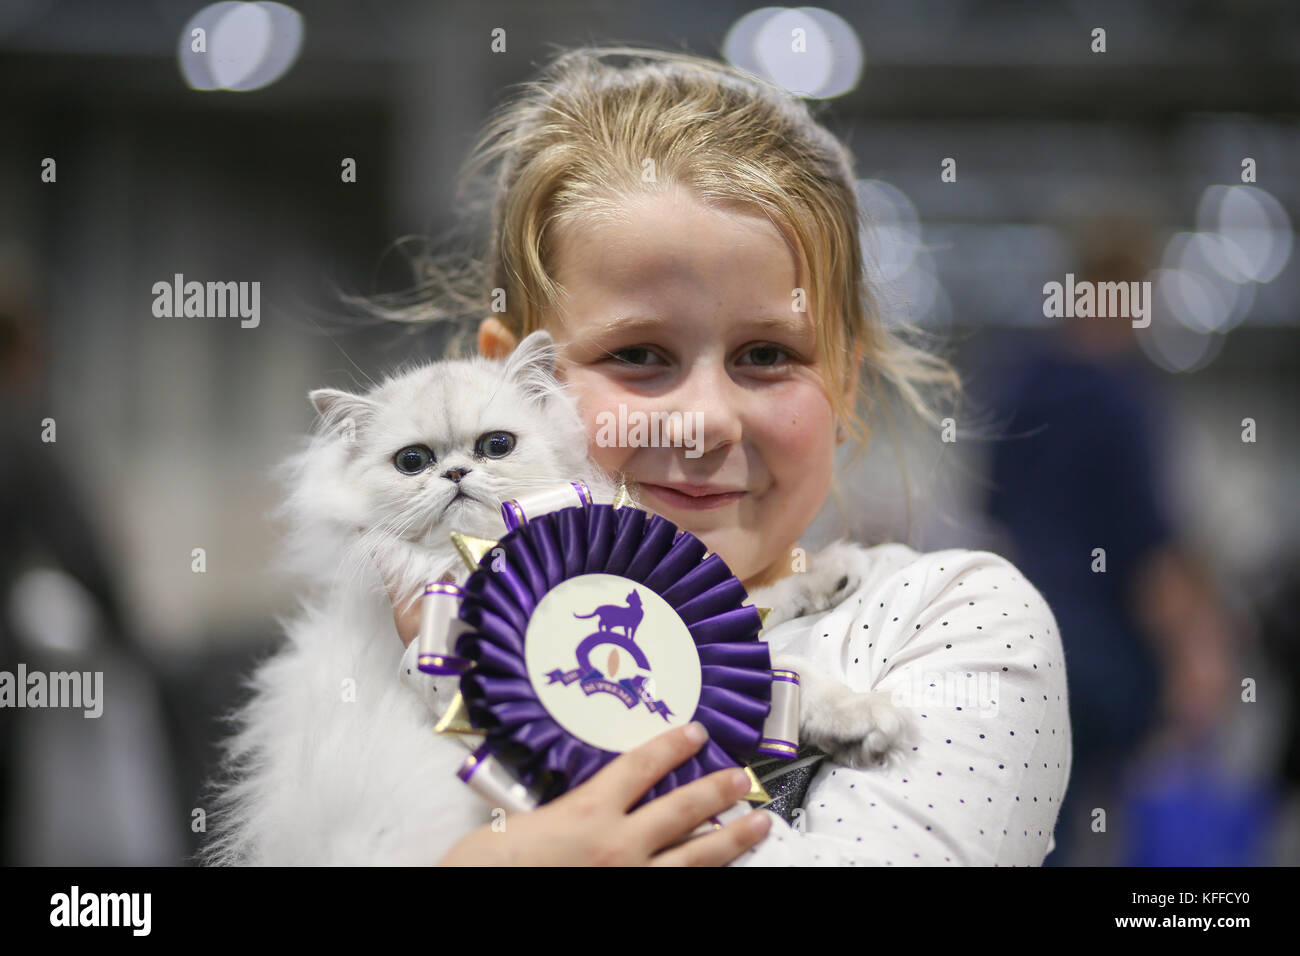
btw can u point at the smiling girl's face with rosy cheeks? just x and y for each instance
(687, 310)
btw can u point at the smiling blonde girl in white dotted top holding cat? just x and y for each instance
(690, 237)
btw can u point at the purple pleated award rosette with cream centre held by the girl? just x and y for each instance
(504, 690)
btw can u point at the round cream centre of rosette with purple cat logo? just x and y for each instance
(625, 647)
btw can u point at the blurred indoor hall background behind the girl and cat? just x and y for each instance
(135, 469)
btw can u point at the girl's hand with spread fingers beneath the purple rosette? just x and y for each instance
(591, 825)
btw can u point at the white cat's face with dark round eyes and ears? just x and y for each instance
(439, 448)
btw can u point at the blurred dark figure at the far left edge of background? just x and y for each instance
(62, 802)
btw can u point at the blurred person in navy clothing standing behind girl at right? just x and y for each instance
(1078, 468)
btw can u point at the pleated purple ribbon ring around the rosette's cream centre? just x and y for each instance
(502, 594)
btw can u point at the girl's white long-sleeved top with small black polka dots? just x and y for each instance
(969, 651)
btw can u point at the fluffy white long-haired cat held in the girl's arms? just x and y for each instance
(331, 759)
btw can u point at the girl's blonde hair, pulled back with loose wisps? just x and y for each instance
(574, 144)
